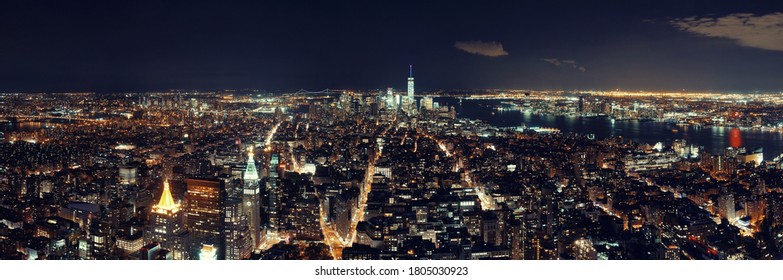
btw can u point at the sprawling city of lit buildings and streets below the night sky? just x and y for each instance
(382, 175)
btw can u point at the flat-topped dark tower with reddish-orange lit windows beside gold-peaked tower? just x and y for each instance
(205, 212)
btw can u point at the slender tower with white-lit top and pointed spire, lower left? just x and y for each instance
(250, 199)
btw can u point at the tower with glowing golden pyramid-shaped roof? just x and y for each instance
(167, 225)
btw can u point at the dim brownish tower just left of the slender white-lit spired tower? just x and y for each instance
(239, 244)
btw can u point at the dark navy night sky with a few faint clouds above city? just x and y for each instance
(121, 46)
